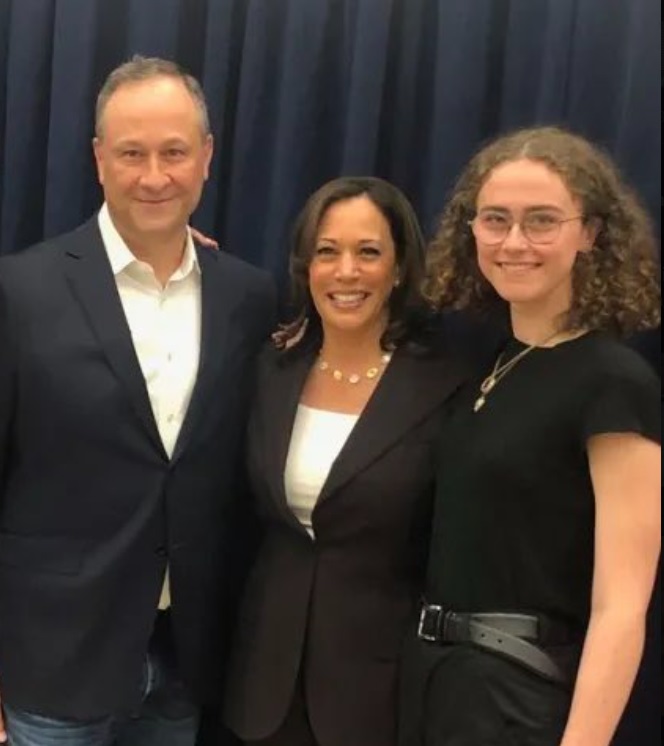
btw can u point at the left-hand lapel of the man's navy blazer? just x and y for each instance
(92, 282)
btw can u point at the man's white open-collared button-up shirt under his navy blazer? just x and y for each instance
(165, 326)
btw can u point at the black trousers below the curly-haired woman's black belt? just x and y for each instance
(460, 695)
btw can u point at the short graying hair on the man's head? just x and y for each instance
(138, 69)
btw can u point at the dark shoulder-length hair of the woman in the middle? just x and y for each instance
(406, 306)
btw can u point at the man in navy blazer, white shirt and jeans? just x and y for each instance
(125, 366)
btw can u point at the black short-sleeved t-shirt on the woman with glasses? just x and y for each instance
(514, 518)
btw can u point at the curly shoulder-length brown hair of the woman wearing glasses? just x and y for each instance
(615, 286)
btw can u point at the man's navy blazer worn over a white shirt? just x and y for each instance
(91, 507)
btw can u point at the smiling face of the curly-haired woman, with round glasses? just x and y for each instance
(528, 230)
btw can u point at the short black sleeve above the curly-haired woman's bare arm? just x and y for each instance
(629, 402)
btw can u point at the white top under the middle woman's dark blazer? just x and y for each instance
(316, 440)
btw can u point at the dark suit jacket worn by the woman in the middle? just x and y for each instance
(334, 611)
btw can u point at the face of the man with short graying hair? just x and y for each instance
(152, 159)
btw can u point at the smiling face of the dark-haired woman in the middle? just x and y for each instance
(353, 267)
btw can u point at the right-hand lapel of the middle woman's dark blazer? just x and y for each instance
(410, 389)
